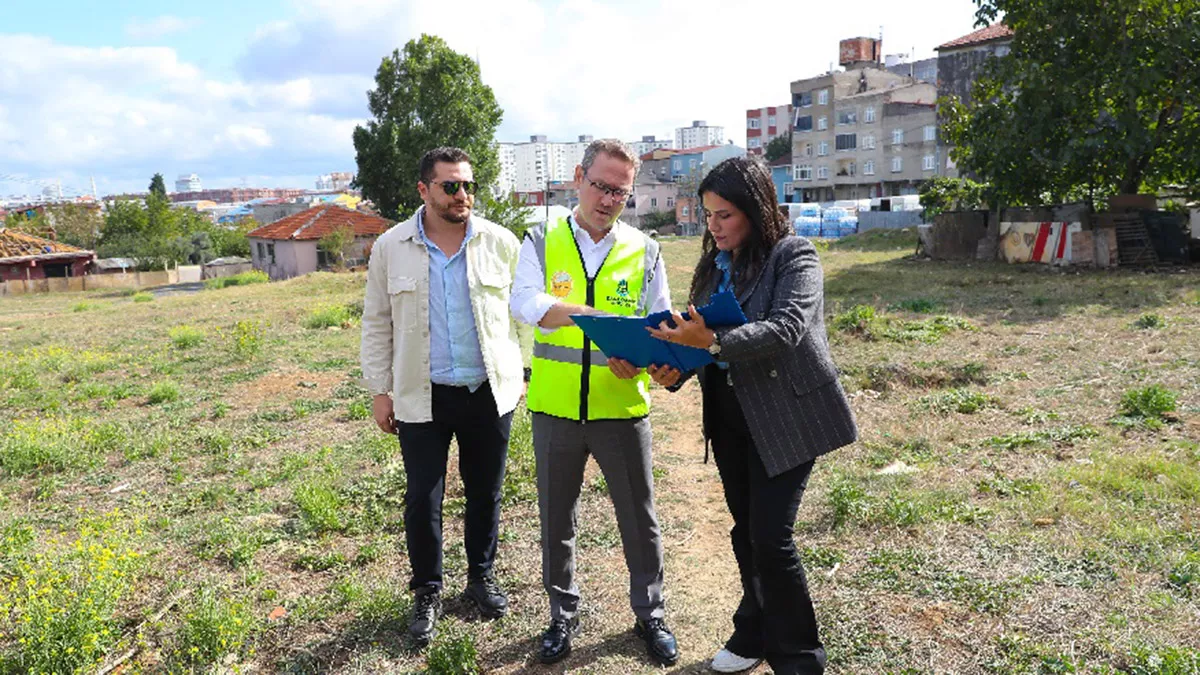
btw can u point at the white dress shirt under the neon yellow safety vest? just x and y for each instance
(530, 301)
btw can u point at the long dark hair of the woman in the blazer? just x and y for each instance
(747, 184)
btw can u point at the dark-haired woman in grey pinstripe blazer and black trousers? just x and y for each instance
(772, 407)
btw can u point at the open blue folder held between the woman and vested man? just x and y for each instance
(626, 338)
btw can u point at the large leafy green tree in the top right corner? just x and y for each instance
(1096, 98)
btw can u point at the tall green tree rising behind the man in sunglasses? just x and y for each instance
(425, 97)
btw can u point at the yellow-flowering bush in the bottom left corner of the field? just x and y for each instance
(61, 607)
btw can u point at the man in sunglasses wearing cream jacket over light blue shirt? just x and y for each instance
(441, 359)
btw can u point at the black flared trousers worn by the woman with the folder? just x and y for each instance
(776, 619)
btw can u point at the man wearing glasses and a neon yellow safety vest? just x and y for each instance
(584, 403)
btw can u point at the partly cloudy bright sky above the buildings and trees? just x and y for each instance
(267, 93)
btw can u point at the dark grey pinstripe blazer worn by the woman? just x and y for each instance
(781, 366)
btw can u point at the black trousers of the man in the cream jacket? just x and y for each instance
(483, 449)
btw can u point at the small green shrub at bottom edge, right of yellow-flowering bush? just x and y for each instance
(213, 629)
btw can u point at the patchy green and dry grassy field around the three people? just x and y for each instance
(195, 481)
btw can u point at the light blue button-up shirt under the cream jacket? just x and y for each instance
(455, 357)
